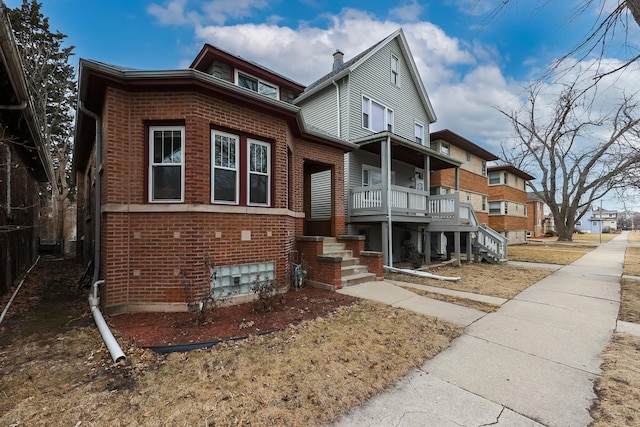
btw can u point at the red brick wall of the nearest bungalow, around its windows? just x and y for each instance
(143, 253)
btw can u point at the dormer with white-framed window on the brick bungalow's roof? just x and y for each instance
(245, 73)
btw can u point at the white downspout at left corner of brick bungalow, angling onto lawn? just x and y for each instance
(94, 300)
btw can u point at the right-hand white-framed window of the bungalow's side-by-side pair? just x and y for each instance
(259, 169)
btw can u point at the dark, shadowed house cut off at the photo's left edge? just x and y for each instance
(24, 164)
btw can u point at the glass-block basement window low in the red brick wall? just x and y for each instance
(239, 279)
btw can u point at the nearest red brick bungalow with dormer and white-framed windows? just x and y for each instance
(202, 177)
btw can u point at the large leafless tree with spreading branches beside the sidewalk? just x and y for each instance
(578, 155)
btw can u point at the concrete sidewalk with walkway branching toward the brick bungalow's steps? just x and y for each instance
(533, 362)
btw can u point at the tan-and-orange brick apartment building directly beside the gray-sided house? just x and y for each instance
(473, 184)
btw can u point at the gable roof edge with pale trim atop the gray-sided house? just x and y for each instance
(362, 58)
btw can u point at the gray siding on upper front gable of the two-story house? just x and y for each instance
(373, 79)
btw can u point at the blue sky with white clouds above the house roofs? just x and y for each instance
(469, 63)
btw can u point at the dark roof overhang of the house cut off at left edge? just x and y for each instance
(18, 109)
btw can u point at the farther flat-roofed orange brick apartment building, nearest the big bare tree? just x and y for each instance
(508, 202)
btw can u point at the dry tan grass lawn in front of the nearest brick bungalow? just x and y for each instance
(305, 375)
